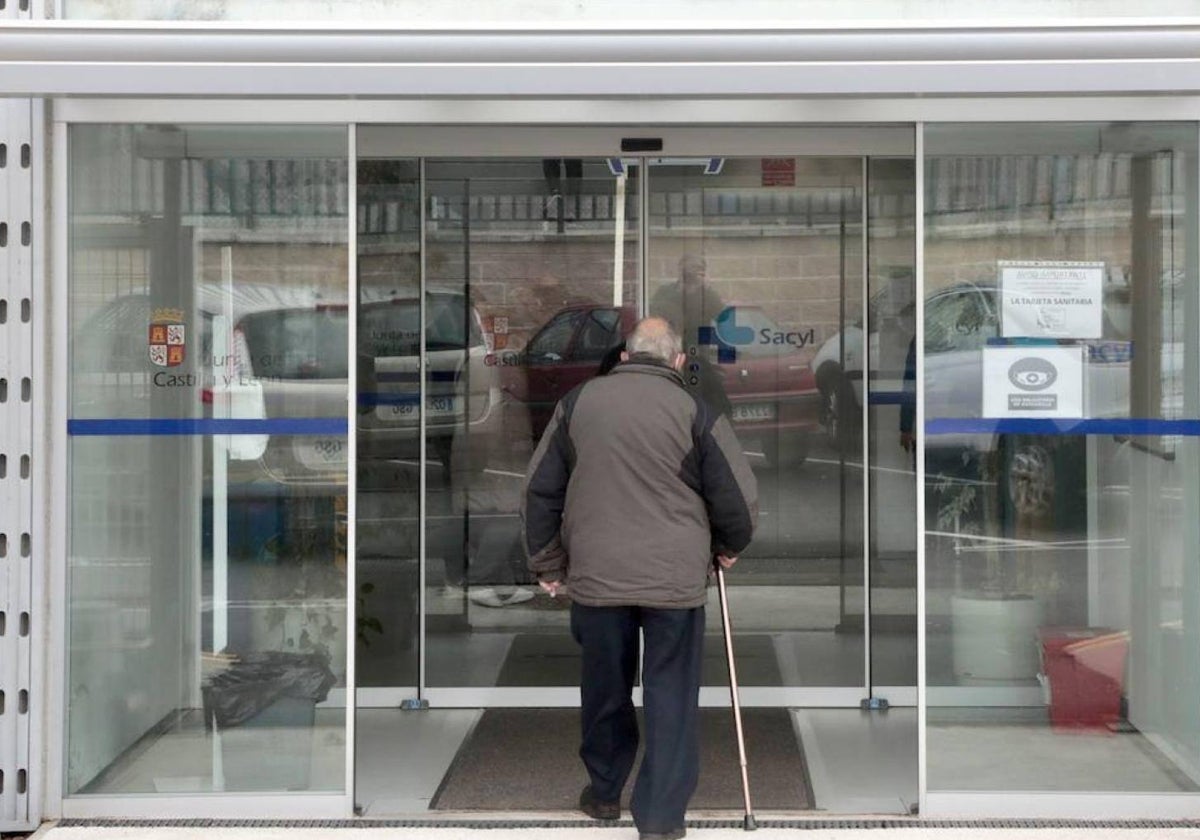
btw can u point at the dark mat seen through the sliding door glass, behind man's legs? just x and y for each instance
(554, 659)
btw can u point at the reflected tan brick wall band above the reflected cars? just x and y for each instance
(796, 279)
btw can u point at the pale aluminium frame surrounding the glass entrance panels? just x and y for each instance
(749, 112)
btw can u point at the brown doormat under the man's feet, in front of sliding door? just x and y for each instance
(527, 760)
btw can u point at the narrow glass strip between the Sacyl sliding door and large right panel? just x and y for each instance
(892, 406)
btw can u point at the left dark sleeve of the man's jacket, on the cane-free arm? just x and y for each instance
(545, 496)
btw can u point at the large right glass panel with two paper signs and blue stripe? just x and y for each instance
(1061, 458)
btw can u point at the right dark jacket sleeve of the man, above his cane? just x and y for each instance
(728, 485)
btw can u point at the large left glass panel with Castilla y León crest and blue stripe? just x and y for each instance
(207, 571)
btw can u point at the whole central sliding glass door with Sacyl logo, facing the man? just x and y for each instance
(533, 271)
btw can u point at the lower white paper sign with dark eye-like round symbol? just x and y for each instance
(1034, 382)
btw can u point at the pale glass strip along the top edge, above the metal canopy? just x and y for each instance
(596, 11)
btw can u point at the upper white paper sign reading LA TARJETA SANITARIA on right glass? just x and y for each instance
(1052, 301)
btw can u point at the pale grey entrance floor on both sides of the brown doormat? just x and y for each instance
(859, 763)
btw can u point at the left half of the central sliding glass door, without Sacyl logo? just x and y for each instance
(531, 269)
